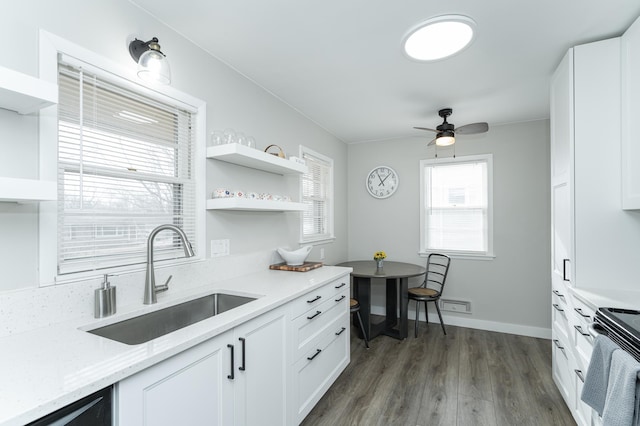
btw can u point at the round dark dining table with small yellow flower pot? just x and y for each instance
(396, 276)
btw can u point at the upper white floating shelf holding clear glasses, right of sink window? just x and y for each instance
(249, 157)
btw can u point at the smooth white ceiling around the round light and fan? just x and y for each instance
(340, 63)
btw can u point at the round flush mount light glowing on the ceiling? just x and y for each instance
(439, 37)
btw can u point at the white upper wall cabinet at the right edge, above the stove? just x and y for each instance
(630, 149)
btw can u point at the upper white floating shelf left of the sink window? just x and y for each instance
(25, 94)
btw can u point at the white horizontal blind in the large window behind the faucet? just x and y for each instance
(125, 166)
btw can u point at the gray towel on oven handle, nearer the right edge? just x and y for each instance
(621, 406)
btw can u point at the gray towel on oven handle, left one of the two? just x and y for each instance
(594, 392)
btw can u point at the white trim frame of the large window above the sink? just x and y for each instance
(51, 46)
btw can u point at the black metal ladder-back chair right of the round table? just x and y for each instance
(431, 288)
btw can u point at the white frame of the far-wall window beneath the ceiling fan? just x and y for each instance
(460, 254)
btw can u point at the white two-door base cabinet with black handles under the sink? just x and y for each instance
(207, 385)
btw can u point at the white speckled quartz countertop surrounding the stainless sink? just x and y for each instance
(44, 369)
